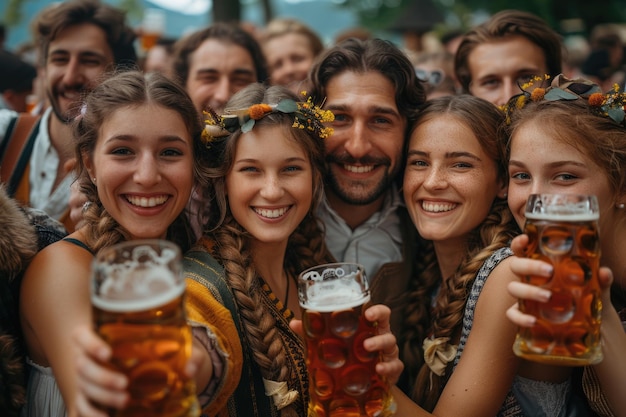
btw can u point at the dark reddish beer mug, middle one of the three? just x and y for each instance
(342, 377)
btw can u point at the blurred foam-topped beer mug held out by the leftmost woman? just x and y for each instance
(137, 297)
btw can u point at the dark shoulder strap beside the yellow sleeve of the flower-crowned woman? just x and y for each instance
(250, 391)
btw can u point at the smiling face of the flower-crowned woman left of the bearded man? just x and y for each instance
(270, 184)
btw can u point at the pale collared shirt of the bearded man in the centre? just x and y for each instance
(375, 242)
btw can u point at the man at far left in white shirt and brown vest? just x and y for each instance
(80, 41)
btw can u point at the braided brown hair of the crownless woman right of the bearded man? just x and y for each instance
(446, 317)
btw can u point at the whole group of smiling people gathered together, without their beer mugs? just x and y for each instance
(428, 195)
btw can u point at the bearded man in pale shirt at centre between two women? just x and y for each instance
(372, 90)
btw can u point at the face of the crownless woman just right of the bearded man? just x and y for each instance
(450, 182)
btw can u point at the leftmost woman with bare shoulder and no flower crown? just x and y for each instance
(136, 145)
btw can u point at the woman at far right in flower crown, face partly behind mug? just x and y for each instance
(571, 138)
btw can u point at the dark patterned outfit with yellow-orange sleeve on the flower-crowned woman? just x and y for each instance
(206, 280)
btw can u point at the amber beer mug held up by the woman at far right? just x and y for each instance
(562, 230)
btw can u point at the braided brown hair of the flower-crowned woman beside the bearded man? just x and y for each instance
(306, 246)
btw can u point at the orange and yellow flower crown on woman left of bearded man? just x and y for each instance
(306, 116)
